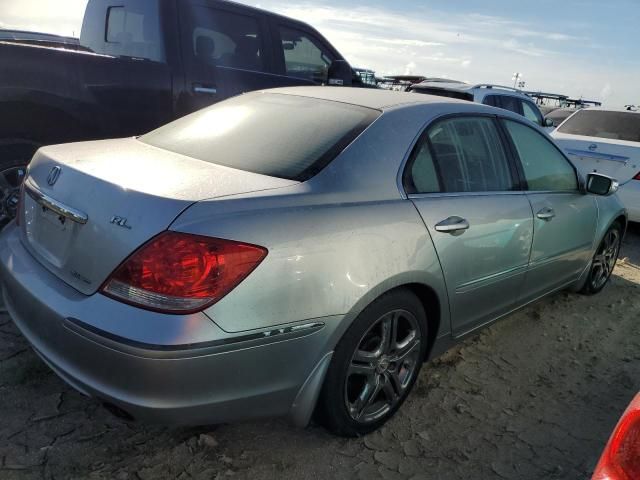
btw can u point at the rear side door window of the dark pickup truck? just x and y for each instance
(221, 38)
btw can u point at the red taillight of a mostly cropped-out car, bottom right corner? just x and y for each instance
(621, 457)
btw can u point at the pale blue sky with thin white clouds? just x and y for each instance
(582, 48)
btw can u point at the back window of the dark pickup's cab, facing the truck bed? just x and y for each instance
(133, 31)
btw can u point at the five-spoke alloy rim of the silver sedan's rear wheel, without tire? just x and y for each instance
(382, 366)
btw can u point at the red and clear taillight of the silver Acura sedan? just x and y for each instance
(182, 273)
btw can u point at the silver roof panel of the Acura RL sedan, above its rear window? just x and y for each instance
(378, 99)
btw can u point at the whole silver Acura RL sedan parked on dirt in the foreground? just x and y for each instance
(294, 251)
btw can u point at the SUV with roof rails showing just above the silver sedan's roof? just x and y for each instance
(494, 95)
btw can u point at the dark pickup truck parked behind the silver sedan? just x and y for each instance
(141, 63)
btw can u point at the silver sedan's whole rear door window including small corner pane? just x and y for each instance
(462, 154)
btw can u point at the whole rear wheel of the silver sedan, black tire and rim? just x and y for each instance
(371, 374)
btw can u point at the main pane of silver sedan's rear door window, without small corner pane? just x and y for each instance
(469, 155)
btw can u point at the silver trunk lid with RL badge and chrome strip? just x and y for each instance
(89, 205)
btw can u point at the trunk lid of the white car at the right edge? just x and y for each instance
(616, 158)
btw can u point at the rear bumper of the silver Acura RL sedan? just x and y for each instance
(160, 368)
